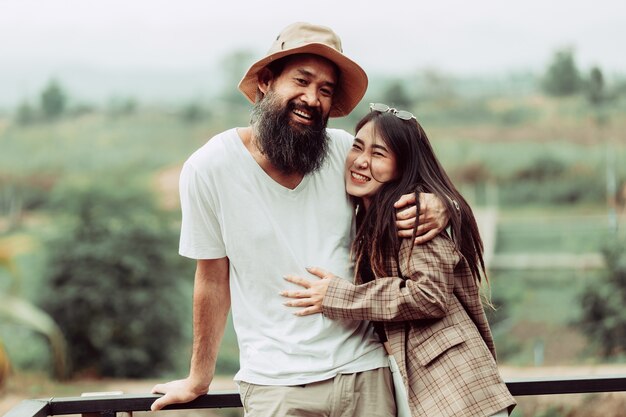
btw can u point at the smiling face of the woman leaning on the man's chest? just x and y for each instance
(369, 164)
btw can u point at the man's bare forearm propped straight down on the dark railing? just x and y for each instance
(211, 303)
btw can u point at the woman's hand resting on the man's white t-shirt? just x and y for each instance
(312, 296)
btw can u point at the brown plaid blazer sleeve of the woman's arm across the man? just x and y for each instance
(425, 294)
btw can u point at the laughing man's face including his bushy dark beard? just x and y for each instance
(290, 120)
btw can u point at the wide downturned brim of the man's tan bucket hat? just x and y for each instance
(352, 79)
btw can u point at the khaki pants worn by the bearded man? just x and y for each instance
(364, 394)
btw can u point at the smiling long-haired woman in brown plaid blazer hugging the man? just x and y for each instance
(424, 299)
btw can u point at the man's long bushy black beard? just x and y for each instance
(291, 149)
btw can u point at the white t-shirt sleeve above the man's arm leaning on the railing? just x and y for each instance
(200, 234)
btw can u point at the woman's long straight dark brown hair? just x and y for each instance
(419, 171)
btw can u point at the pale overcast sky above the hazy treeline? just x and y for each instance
(461, 37)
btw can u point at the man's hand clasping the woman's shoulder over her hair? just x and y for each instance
(433, 217)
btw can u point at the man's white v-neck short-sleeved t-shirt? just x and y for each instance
(232, 208)
